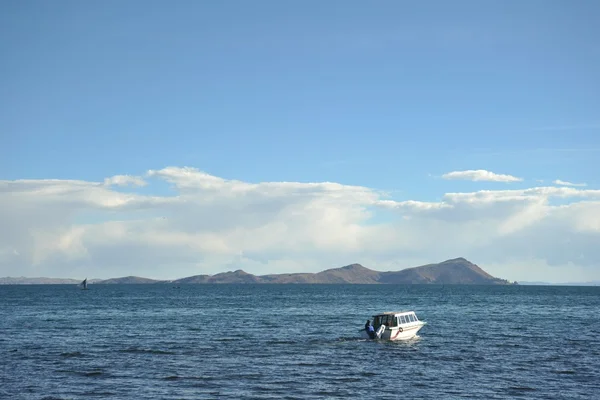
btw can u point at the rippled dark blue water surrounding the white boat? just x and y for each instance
(297, 342)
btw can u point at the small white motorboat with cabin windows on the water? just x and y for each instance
(395, 325)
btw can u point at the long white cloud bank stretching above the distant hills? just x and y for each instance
(209, 224)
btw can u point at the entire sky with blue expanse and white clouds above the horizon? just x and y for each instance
(166, 140)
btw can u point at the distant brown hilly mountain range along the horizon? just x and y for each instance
(455, 271)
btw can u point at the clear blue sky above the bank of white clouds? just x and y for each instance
(388, 95)
